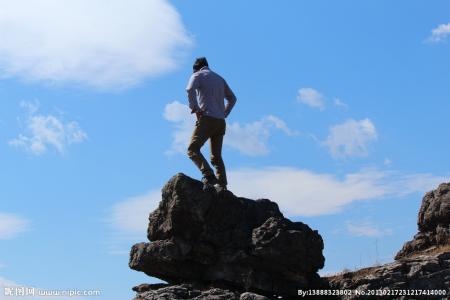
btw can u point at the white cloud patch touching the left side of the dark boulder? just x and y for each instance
(130, 217)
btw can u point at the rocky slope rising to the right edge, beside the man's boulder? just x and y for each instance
(422, 264)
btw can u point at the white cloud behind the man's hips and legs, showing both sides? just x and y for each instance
(249, 139)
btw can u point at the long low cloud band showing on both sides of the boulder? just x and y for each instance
(298, 192)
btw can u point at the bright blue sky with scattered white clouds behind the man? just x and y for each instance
(342, 119)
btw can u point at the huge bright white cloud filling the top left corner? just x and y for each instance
(99, 43)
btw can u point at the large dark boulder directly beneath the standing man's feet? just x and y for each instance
(232, 242)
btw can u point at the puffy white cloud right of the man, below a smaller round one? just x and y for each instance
(351, 138)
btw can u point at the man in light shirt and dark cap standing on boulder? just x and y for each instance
(210, 89)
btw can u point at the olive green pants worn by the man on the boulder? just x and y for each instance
(213, 129)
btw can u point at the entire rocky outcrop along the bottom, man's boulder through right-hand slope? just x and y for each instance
(210, 245)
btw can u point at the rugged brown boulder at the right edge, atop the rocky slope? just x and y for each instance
(433, 222)
